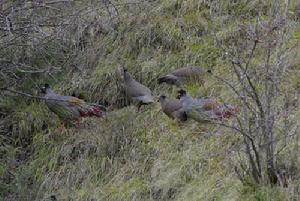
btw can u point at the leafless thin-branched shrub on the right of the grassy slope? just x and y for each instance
(258, 54)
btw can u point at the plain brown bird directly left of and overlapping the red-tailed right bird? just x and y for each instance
(172, 108)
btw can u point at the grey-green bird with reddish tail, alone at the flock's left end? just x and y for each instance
(69, 108)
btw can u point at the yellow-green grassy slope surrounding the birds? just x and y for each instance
(142, 156)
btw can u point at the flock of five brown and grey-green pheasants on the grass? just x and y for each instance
(184, 107)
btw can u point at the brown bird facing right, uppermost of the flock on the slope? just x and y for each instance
(182, 74)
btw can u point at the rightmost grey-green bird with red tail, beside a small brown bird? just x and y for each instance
(205, 109)
